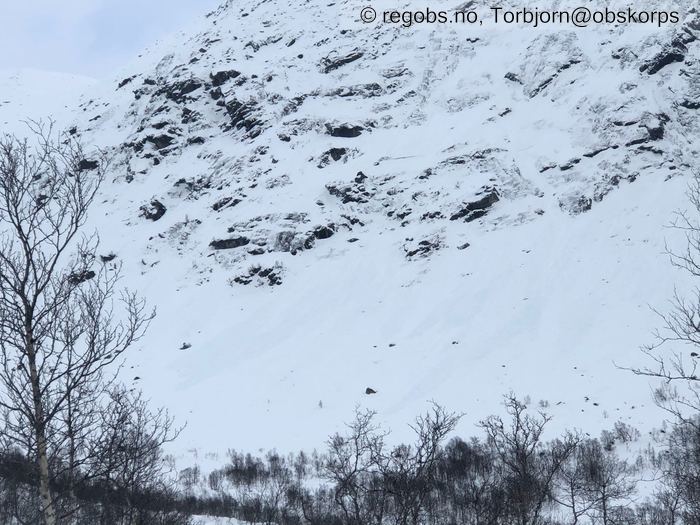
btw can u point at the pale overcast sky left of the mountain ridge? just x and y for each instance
(88, 37)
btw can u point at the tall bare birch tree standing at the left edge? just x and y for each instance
(62, 322)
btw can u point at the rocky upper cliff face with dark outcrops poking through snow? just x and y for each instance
(289, 127)
